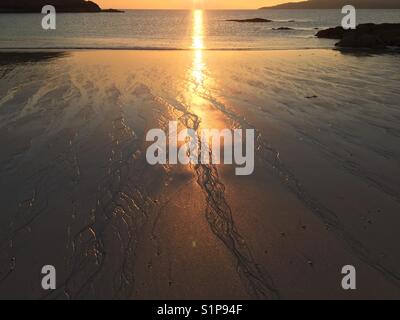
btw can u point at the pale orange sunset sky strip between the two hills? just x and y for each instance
(188, 4)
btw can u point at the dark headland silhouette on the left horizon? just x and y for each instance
(26, 6)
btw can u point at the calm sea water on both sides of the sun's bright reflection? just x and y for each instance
(173, 29)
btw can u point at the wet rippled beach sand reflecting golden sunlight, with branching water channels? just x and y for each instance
(77, 191)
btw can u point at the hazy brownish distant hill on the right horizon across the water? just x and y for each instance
(336, 4)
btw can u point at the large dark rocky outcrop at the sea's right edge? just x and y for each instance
(372, 36)
